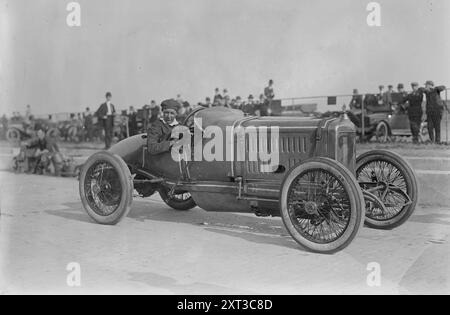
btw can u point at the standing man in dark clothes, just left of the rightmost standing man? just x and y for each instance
(413, 102)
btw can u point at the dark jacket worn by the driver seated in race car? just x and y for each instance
(159, 135)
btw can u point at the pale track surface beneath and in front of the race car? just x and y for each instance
(43, 228)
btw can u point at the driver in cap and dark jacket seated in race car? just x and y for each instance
(160, 132)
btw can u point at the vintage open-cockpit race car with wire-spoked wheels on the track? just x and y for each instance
(322, 192)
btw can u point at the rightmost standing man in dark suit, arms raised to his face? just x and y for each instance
(435, 107)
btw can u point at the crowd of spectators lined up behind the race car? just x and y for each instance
(106, 123)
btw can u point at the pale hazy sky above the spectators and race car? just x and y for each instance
(150, 49)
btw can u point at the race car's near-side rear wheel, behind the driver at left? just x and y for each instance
(107, 187)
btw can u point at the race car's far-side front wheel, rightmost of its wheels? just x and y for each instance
(406, 183)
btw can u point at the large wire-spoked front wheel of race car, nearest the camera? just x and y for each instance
(312, 208)
